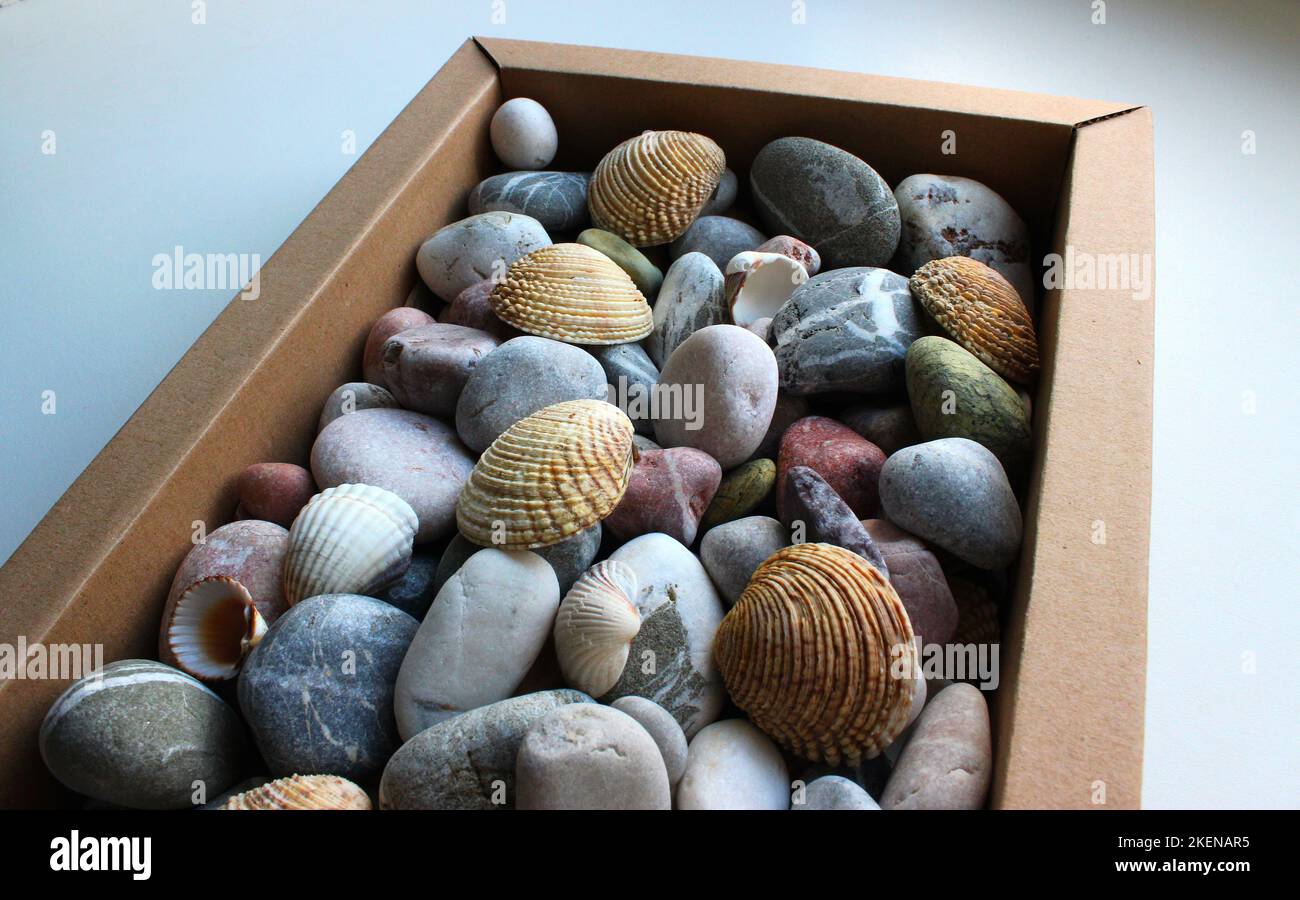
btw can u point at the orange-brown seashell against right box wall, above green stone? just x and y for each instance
(981, 310)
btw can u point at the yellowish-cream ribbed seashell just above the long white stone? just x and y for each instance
(548, 477)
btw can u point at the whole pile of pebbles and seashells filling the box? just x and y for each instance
(502, 586)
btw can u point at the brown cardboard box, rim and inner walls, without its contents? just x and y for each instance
(1069, 716)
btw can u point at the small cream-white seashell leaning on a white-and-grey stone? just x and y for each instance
(595, 628)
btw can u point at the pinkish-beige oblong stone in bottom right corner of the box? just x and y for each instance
(950, 759)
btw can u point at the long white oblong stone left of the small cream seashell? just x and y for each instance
(483, 634)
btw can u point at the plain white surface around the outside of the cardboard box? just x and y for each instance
(222, 137)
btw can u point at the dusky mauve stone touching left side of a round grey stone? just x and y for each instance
(427, 367)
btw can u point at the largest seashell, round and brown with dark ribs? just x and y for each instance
(809, 652)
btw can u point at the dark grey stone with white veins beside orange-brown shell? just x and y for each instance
(847, 330)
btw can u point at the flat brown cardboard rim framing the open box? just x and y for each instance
(1077, 651)
